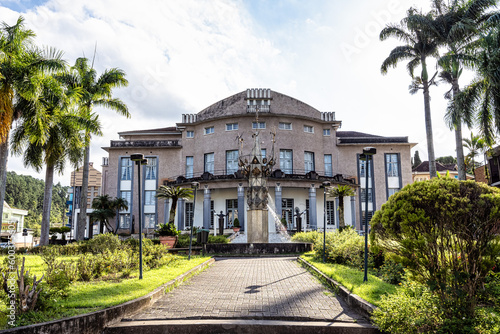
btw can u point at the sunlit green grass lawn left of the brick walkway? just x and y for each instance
(85, 297)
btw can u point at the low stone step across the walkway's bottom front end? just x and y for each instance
(212, 326)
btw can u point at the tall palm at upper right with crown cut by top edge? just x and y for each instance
(456, 25)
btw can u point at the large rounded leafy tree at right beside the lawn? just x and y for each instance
(445, 232)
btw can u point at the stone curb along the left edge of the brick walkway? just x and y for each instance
(96, 322)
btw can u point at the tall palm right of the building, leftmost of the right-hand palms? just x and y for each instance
(418, 45)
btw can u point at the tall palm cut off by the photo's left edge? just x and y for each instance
(19, 60)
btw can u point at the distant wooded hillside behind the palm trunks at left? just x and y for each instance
(25, 192)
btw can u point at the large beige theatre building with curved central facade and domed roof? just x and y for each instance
(205, 147)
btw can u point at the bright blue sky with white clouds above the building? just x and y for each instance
(181, 56)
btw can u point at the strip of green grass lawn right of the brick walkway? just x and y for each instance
(352, 279)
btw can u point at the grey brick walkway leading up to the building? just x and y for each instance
(255, 288)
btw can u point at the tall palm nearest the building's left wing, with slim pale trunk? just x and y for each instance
(95, 92)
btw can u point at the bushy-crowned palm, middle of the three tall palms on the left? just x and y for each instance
(49, 134)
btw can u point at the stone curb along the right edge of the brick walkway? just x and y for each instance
(358, 304)
